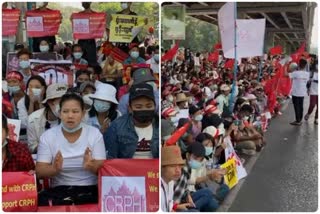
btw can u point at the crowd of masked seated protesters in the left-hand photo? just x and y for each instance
(71, 130)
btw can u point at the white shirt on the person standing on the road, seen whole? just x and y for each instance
(299, 83)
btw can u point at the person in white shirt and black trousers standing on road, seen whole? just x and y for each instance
(299, 90)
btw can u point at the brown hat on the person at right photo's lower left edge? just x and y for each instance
(171, 155)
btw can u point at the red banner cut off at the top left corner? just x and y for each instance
(10, 21)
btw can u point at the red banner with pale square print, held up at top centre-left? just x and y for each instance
(88, 25)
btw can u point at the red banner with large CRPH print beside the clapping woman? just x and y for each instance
(129, 185)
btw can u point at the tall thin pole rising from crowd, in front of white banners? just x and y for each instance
(231, 100)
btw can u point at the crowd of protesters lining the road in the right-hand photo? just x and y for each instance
(203, 92)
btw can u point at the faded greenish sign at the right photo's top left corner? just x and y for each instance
(173, 22)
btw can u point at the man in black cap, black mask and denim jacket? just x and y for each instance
(135, 135)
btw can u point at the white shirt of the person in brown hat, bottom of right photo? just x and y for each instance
(167, 191)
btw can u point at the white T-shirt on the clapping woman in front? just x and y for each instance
(72, 172)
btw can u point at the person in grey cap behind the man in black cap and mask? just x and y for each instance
(142, 75)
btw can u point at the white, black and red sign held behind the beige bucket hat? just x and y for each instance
(53, 71)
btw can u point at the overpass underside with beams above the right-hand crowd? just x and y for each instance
(287, 23)
